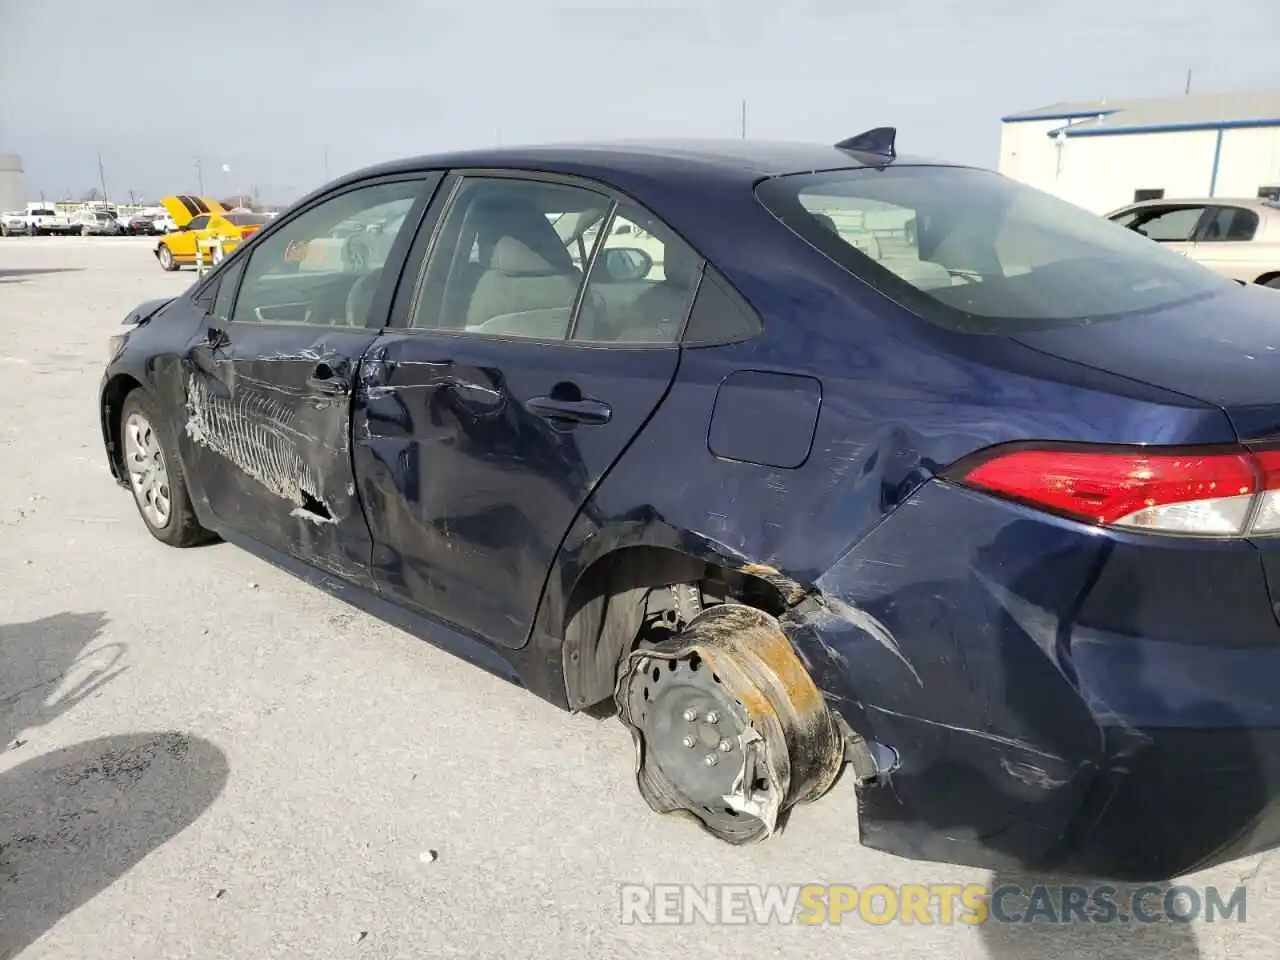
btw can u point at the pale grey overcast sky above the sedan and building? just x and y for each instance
(267, 88)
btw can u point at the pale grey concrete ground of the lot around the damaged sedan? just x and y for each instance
(202, 757)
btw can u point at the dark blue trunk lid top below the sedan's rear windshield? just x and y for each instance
(1222, 350)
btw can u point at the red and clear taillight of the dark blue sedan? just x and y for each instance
(1205, 492)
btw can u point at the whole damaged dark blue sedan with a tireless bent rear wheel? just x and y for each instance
(797, 459)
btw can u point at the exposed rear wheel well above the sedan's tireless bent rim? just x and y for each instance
(607, 610)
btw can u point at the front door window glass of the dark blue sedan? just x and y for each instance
(314, 271)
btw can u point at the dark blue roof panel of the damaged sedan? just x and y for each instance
(729, 159)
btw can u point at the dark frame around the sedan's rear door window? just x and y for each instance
(404, 309)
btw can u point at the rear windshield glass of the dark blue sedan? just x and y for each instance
(976, 252)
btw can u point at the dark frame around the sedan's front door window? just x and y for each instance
(396, 257)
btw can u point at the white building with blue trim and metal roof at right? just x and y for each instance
(1104, 154)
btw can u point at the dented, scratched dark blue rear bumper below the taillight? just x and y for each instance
(1058, 698)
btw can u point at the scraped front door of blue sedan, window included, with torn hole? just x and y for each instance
(271, 377)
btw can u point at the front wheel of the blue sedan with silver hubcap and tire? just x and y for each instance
(156, 476)
